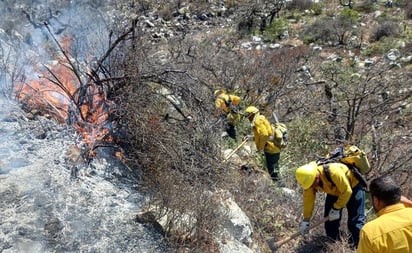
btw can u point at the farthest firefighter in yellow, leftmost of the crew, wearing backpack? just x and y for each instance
(227, 107)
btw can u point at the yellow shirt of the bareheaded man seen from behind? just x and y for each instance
(391, 232)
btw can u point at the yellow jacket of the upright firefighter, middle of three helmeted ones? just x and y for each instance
(262, 131)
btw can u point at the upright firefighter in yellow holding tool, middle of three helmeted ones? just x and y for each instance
(263, 137)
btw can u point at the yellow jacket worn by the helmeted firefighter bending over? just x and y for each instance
(344, 181)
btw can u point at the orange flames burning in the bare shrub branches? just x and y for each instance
(56, 92)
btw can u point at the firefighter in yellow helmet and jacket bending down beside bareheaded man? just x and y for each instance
(342, 189)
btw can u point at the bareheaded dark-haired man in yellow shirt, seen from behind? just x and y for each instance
(391, 231)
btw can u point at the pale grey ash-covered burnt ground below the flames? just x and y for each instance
(43, 209)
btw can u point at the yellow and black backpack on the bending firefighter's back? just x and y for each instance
(351, 156)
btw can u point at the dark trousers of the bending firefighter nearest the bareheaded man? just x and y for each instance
(356, 215)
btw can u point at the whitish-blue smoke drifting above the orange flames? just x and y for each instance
(27, 44)
